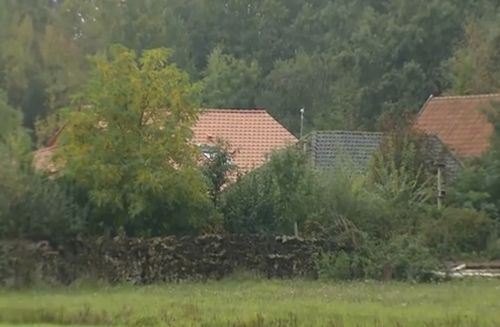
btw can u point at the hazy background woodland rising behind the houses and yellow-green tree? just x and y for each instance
(347, 62)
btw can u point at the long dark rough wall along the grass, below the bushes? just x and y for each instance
(144, 261)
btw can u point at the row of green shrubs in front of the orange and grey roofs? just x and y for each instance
(343, 202)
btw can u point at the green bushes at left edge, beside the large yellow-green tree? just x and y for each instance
(31, 206)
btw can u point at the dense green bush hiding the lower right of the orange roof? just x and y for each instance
(272, 198)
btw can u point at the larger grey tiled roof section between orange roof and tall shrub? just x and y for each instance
(329, 148)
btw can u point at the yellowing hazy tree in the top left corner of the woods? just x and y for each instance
(41, 63)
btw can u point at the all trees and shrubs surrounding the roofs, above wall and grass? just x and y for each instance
(125, 164)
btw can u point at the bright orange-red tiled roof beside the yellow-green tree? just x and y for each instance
(252, 134)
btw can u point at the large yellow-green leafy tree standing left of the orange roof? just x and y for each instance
(127, 144)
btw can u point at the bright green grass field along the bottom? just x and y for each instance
(258, 303)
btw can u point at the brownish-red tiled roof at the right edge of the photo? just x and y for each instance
(460, 122)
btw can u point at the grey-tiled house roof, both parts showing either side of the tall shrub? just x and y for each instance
(328, 149)
